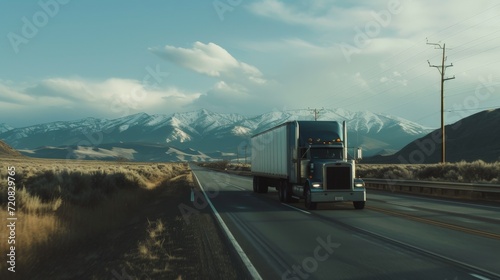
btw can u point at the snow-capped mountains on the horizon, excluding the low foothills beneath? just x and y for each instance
(207, 131)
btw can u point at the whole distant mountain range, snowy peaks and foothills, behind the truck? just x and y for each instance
(199, 135)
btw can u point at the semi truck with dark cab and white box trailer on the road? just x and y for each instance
(306, 160)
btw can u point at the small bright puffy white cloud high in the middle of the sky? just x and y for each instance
(212, 60)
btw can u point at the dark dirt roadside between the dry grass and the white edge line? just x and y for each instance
(156, 243)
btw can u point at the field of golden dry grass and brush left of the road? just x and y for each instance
(60, 202)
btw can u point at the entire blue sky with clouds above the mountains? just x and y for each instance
(71, 59)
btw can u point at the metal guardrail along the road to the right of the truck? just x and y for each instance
(446, 189)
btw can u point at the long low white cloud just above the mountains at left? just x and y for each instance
(56, 98)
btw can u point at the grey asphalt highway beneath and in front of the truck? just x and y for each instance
(395, 237)
